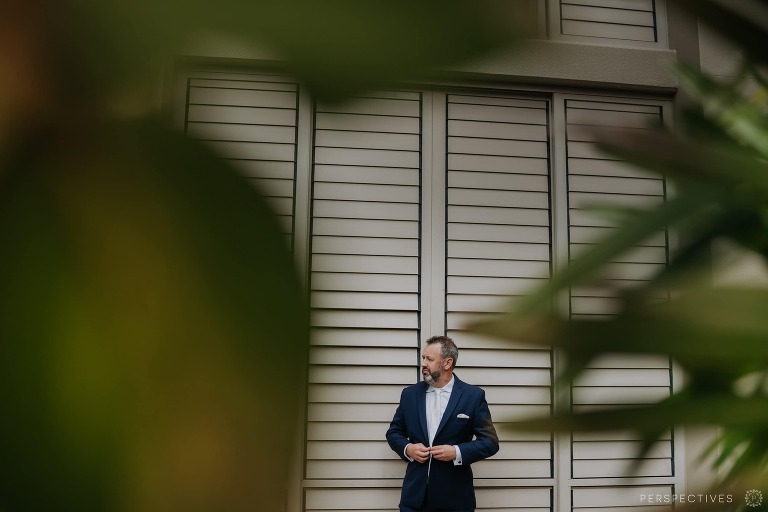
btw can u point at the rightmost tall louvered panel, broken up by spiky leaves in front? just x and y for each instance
(596, 178)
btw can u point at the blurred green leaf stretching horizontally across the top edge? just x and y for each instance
(334, 46)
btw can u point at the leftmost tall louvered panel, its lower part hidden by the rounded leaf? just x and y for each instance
(250, 120)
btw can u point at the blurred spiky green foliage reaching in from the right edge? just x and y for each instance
(717, 158)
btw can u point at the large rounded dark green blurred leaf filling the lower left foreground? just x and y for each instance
(154, 336)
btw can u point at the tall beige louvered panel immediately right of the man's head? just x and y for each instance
(498, 243)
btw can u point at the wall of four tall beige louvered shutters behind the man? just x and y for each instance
(366, 245)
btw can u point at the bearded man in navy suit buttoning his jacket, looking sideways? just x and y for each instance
(433, 430)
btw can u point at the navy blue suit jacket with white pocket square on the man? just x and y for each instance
(450, 486)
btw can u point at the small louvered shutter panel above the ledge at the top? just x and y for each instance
(631, 20)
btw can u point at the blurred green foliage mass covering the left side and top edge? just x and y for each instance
(153, 330)
